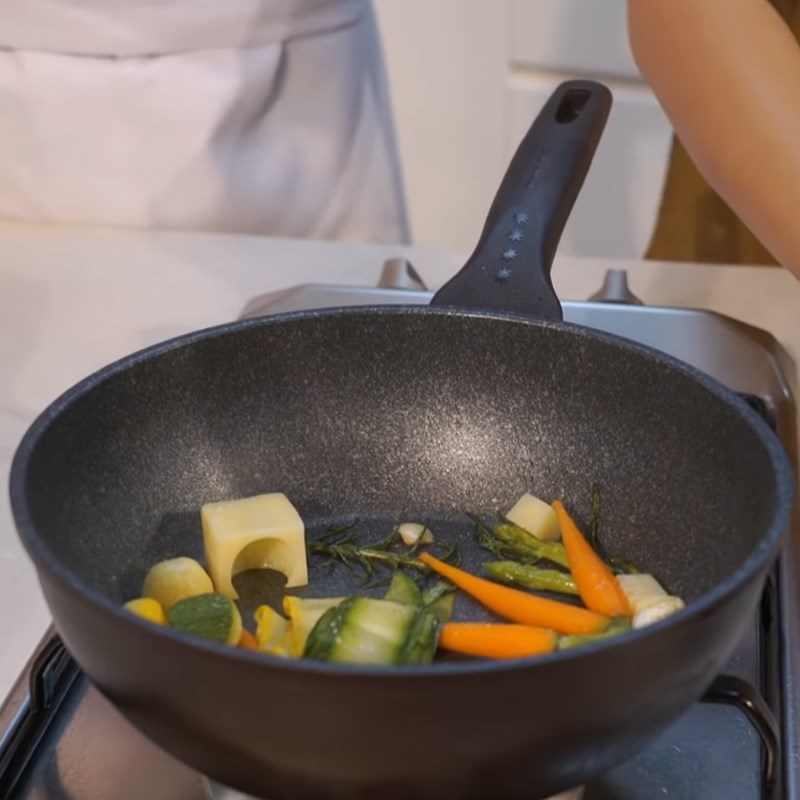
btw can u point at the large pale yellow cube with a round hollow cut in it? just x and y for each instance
(261, 532)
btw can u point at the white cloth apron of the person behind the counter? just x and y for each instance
(254, 116)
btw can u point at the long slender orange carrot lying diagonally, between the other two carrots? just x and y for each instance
(527, 609)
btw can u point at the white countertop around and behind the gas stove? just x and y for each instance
(73, 299)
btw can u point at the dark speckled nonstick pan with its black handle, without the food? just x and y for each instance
(430, 413)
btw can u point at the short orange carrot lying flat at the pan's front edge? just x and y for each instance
(497, 640)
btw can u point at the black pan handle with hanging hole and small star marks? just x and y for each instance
(510, 268)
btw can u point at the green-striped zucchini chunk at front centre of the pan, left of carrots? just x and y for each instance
(365, 631)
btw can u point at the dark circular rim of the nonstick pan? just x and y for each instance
(43, 559)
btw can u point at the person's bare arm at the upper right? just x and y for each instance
(727, 73)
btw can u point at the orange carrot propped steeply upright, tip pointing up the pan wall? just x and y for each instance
(597, 584)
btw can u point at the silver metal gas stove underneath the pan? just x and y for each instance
(61, 740)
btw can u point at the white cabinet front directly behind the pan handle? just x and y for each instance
(468, 77)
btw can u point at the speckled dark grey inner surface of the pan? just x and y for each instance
(384, 416)
